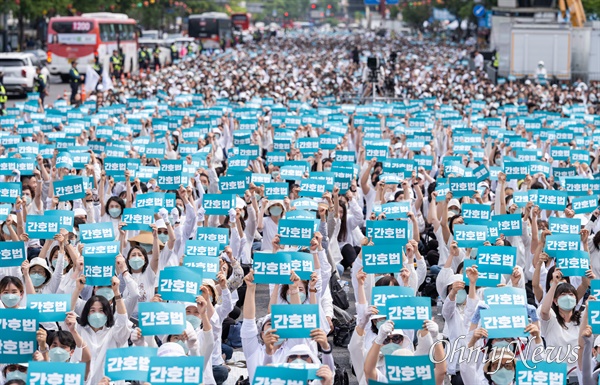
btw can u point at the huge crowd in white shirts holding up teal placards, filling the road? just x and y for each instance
(453, 143)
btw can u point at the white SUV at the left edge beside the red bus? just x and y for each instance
(19, 71)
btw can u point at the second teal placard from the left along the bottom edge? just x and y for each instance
(131, 363)
